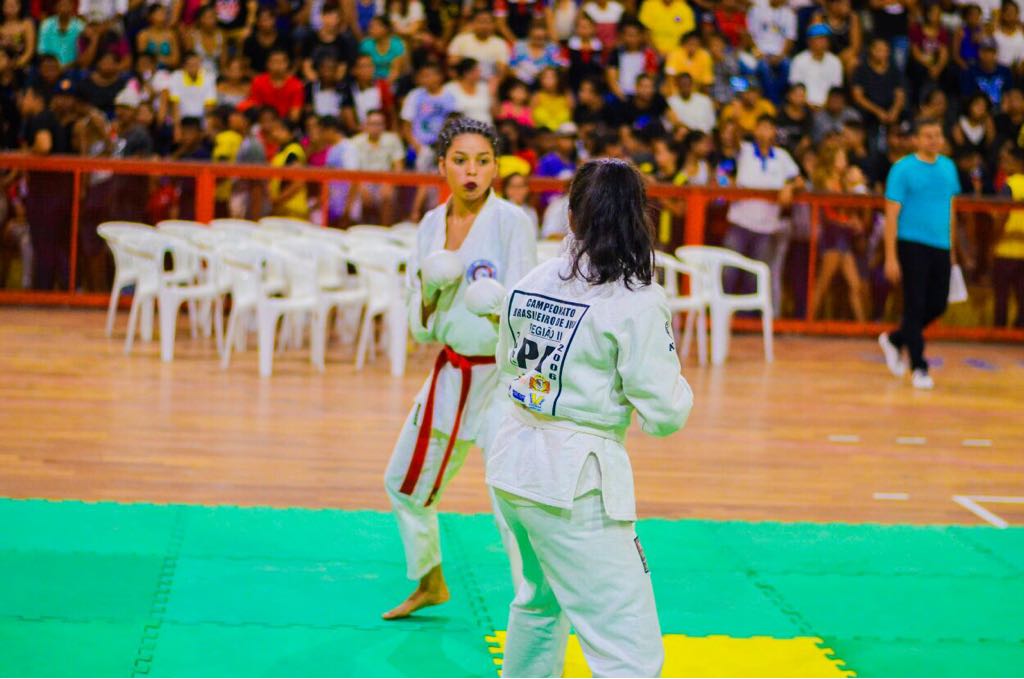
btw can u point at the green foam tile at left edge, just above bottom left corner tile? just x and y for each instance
(78, 587)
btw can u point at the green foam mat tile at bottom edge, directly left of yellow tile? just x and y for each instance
(407, 650)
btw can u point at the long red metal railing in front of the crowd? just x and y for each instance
(698, 200)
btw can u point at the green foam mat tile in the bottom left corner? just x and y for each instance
(57, 649)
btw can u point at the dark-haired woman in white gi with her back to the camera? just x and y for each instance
(585, 341)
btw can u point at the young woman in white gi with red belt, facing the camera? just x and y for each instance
(486, 237)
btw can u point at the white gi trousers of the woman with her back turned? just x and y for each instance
(583, 569)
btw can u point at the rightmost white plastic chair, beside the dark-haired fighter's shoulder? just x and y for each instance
(713, 261)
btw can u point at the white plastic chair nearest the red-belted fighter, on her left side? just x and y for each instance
(382, 267)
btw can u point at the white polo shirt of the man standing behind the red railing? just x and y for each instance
(755, 172)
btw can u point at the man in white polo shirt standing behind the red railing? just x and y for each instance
(756, 228)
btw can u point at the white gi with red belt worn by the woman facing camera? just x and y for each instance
(502, 245)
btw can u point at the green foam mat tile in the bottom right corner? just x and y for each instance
(915, 658)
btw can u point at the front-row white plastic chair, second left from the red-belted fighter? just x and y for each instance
(248, 264)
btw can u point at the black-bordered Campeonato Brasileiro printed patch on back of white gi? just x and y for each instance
(542, 329)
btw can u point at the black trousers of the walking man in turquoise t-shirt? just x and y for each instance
(925, 272)
